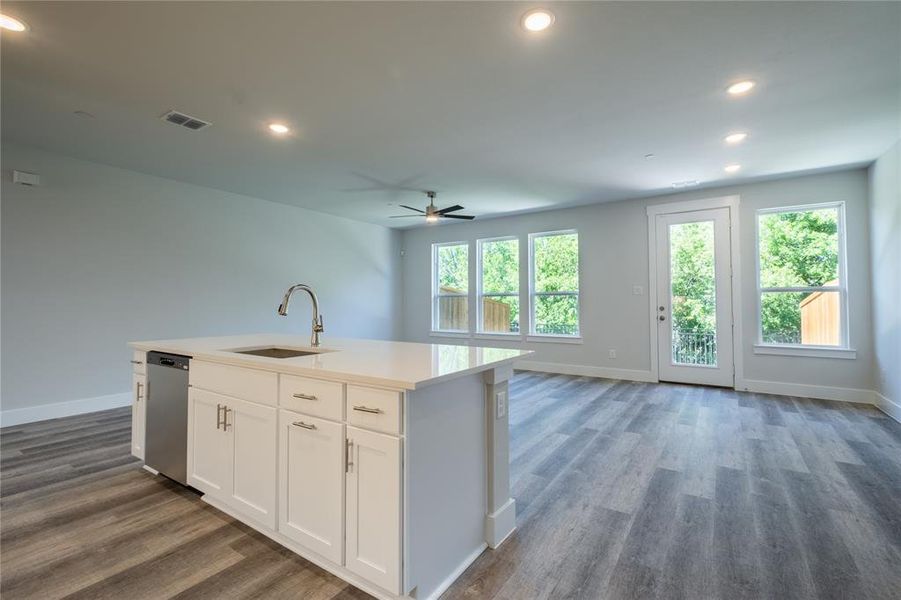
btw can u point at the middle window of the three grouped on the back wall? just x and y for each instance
(498, 285)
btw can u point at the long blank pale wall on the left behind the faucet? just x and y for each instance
(97, 256)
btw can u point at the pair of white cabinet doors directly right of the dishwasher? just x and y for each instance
(232, 453)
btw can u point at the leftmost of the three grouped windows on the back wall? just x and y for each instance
(450, 287)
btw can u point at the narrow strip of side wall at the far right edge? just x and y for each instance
(885, 255)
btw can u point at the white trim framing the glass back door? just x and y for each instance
(732, 203)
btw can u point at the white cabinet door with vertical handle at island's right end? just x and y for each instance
(373, 508)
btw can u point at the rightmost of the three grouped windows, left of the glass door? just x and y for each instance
(554, 283)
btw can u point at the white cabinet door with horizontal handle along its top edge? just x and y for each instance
(311, 507)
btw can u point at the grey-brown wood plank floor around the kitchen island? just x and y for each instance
(623, 490)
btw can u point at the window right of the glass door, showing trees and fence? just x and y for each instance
(802, 286)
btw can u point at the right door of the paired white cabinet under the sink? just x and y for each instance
(253, 429)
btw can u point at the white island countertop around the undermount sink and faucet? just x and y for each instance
(400, 365)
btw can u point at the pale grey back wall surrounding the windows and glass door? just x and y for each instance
(614, 259)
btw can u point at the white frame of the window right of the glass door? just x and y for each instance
(843, 350)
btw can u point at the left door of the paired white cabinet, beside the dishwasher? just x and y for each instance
(209, 445)
